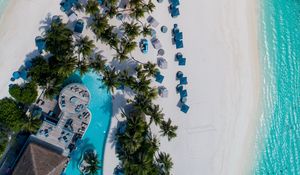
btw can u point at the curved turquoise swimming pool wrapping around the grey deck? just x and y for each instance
(96, 134)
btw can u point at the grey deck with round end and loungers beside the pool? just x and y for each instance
(73, 118)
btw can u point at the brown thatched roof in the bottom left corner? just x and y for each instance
(38, 160)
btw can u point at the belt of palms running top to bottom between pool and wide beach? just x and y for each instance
(137, 146)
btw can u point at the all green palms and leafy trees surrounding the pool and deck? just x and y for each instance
(138, 147)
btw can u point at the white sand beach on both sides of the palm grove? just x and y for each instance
(216, 137)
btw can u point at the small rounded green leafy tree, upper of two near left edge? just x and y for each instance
(27, 93)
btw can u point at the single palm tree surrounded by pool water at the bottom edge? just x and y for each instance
(91, 159)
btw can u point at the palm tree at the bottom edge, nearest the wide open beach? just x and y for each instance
(164, 162)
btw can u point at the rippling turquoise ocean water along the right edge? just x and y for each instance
(278, 136)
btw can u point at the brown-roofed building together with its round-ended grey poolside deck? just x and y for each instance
(65, 120)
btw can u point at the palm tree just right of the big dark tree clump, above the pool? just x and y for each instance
(84, 46)
